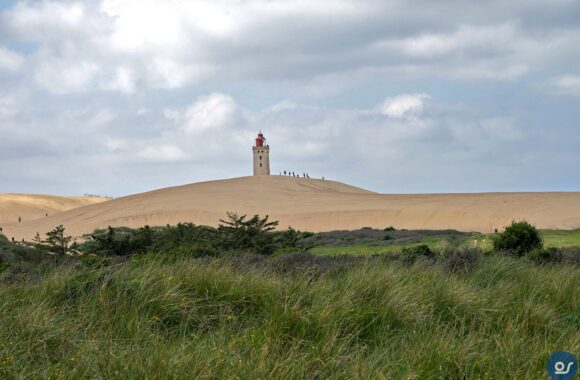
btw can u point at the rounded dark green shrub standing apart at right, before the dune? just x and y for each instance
(519, 238)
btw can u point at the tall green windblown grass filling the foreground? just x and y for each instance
(207, 319)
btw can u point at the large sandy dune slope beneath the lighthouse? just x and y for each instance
(314, 205)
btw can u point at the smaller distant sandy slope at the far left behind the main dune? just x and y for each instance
(32, 206)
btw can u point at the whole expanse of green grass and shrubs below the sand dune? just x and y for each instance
(246, 301)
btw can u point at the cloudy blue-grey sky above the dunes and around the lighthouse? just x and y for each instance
(114, 97)
